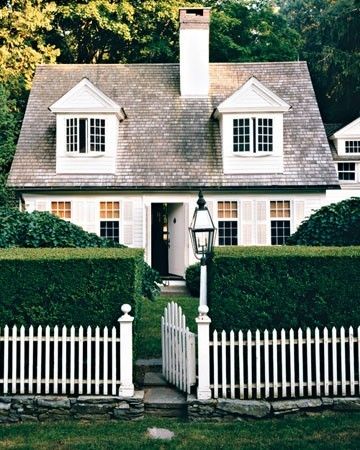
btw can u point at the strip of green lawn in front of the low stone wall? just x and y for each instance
(340, 431)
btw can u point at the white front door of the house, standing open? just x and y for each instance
(176, 227)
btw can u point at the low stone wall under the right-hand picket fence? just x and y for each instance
(226, 409)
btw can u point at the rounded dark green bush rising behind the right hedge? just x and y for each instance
(336, 224)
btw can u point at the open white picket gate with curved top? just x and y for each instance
(178, 349)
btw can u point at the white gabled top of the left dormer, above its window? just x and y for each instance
(85, 97)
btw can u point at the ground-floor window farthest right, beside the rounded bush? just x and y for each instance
(280, 228)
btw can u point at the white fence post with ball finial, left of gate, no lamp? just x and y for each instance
(126, 353)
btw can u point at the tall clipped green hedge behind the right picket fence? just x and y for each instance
(275, 287)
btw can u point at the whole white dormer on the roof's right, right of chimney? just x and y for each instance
(251, 122)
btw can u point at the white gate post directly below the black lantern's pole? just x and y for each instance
(203, 322)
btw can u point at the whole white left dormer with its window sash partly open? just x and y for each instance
(87, 123)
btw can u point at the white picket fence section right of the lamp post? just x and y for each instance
(285, 364)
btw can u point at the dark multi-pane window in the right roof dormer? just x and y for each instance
(253, 135)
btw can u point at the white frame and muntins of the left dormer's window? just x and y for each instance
(88, 152)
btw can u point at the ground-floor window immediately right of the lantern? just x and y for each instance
(228, 228)
